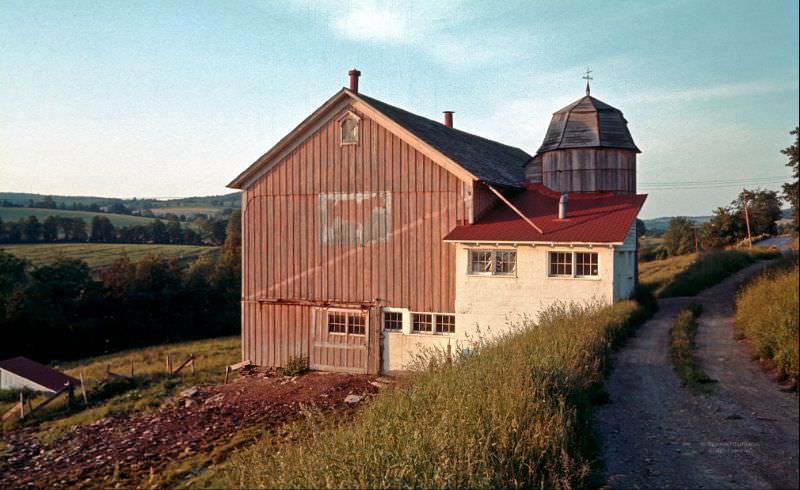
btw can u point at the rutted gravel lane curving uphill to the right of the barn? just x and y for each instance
(655, 434)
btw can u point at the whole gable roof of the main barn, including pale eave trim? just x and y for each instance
(483, 159)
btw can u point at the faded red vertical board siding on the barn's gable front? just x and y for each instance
(354, 224)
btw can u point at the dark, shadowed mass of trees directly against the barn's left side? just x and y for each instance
(65, 311)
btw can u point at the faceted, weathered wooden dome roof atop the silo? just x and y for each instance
(588, 123)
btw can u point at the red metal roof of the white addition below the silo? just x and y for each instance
(591, 218)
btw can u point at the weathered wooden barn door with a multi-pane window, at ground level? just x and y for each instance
(340, 340)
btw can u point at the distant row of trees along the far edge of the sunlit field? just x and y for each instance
(61, 229)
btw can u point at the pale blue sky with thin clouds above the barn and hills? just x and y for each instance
(173, 99)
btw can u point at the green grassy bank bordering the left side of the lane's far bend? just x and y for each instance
(709, 269)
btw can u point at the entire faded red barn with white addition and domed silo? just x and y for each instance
(370, 232)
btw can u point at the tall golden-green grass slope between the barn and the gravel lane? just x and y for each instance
(514, 413)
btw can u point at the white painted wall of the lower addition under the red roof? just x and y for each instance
(487, 305)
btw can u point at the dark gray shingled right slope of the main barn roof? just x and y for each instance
(490, 161)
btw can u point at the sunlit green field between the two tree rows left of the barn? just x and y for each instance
(102, 254)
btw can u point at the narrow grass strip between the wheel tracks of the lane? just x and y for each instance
(682, 347)
